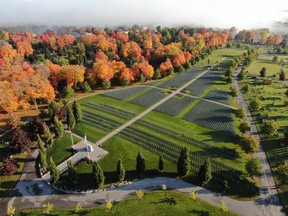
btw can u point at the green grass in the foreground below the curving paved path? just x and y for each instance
(153, 203)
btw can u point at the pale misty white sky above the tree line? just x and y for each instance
(208, 13)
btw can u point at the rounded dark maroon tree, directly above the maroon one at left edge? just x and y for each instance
(20, 142)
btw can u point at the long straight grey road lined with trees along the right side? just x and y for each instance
(268, 191)
